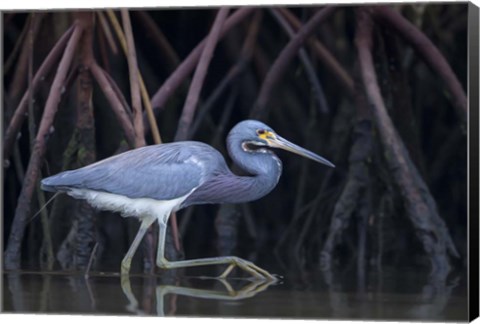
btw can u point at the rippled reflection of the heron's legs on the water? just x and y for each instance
(223, 290)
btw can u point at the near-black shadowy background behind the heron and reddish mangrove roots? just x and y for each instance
(289, 228)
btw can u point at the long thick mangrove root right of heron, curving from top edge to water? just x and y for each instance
(419, 204)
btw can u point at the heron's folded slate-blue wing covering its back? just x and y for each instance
(161, 172)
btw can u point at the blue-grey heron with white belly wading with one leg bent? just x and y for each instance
(154, 181)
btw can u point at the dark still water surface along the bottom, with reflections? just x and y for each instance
(389, 295)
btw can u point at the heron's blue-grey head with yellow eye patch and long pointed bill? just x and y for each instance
(255, 136)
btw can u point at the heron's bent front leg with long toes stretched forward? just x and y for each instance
(232, 261)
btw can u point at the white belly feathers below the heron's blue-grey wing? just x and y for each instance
(134, 207)
